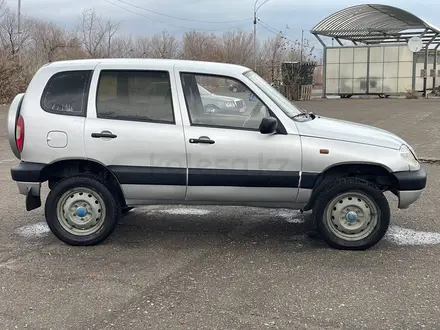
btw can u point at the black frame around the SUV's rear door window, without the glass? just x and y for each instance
(141, 120)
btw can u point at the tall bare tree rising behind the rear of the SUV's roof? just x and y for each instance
(96, 34)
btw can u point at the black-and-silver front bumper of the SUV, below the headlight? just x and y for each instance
(410, 185)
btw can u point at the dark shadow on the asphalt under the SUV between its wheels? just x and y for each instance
(219, 226)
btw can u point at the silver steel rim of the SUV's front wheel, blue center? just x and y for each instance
(352, 216)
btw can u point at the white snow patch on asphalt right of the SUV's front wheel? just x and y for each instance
(404, 236)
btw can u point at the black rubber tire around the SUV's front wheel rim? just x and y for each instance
(354, 185)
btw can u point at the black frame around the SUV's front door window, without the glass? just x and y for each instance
(280, 130)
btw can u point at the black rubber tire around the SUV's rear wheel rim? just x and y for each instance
(98, 186)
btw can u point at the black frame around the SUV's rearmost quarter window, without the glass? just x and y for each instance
(83, 112)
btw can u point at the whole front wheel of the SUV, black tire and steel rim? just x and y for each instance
(352, 214)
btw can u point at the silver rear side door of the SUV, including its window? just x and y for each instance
(134, 128)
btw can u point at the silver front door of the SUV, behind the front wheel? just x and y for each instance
(229, 160)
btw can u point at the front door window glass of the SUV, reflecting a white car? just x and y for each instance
(216, 101)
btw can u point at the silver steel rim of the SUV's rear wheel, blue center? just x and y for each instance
(81, 211)
